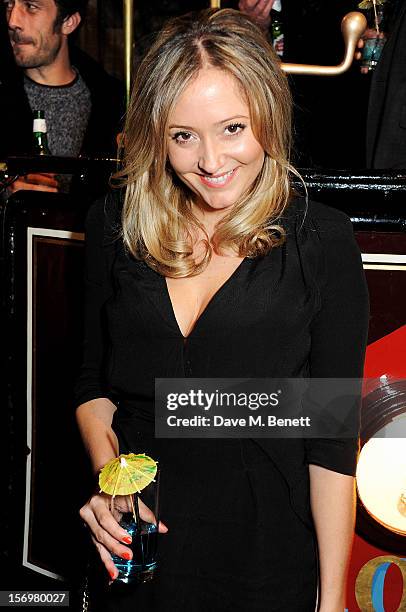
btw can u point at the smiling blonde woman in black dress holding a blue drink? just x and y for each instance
(207, 266)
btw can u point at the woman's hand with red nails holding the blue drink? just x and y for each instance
(106, 533)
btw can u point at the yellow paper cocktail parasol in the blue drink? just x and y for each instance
(127, 474)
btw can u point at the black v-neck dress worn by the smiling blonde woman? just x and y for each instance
(241, 536)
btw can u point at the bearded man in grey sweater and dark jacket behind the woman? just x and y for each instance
(83, 105)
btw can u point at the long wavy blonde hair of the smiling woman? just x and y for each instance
(157, 219)
